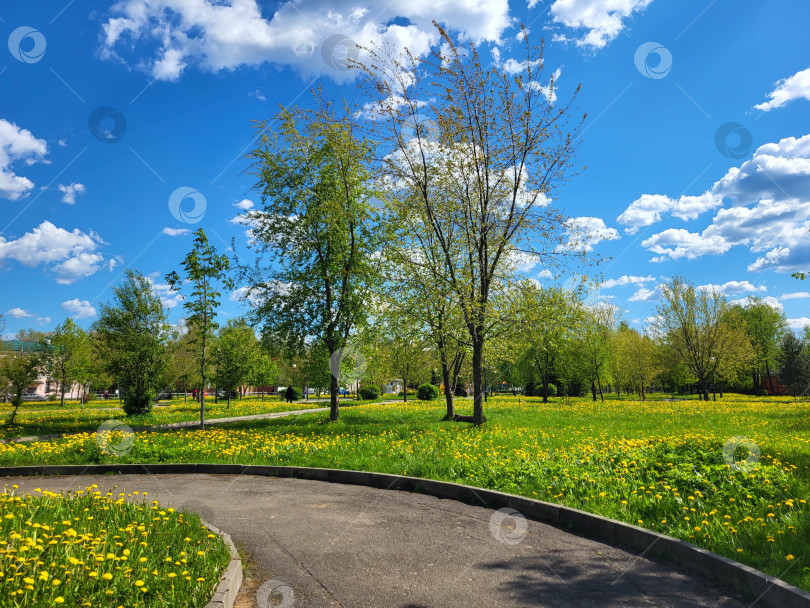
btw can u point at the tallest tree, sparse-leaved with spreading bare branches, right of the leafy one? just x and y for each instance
(478, 164)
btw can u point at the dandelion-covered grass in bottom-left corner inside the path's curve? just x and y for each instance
(88, 549)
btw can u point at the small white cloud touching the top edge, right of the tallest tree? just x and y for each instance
(603, 20)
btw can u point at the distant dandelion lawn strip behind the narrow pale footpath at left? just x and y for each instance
(56, 419)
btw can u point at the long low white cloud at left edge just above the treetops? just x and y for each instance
(70, 255)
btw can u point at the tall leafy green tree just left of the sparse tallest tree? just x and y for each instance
(318, 226)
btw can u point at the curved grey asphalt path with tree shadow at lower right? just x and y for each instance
(347, 546)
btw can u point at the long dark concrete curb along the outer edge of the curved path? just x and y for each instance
(769, 591)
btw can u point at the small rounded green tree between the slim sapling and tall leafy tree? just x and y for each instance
(236, 353)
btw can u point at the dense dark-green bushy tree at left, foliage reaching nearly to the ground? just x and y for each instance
(131, 333)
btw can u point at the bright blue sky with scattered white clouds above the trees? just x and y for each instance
(697, 141)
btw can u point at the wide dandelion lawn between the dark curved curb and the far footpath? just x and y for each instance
(657, 464)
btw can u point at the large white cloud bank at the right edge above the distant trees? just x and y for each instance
(770, 212)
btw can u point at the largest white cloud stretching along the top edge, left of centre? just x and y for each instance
(313, 37)
